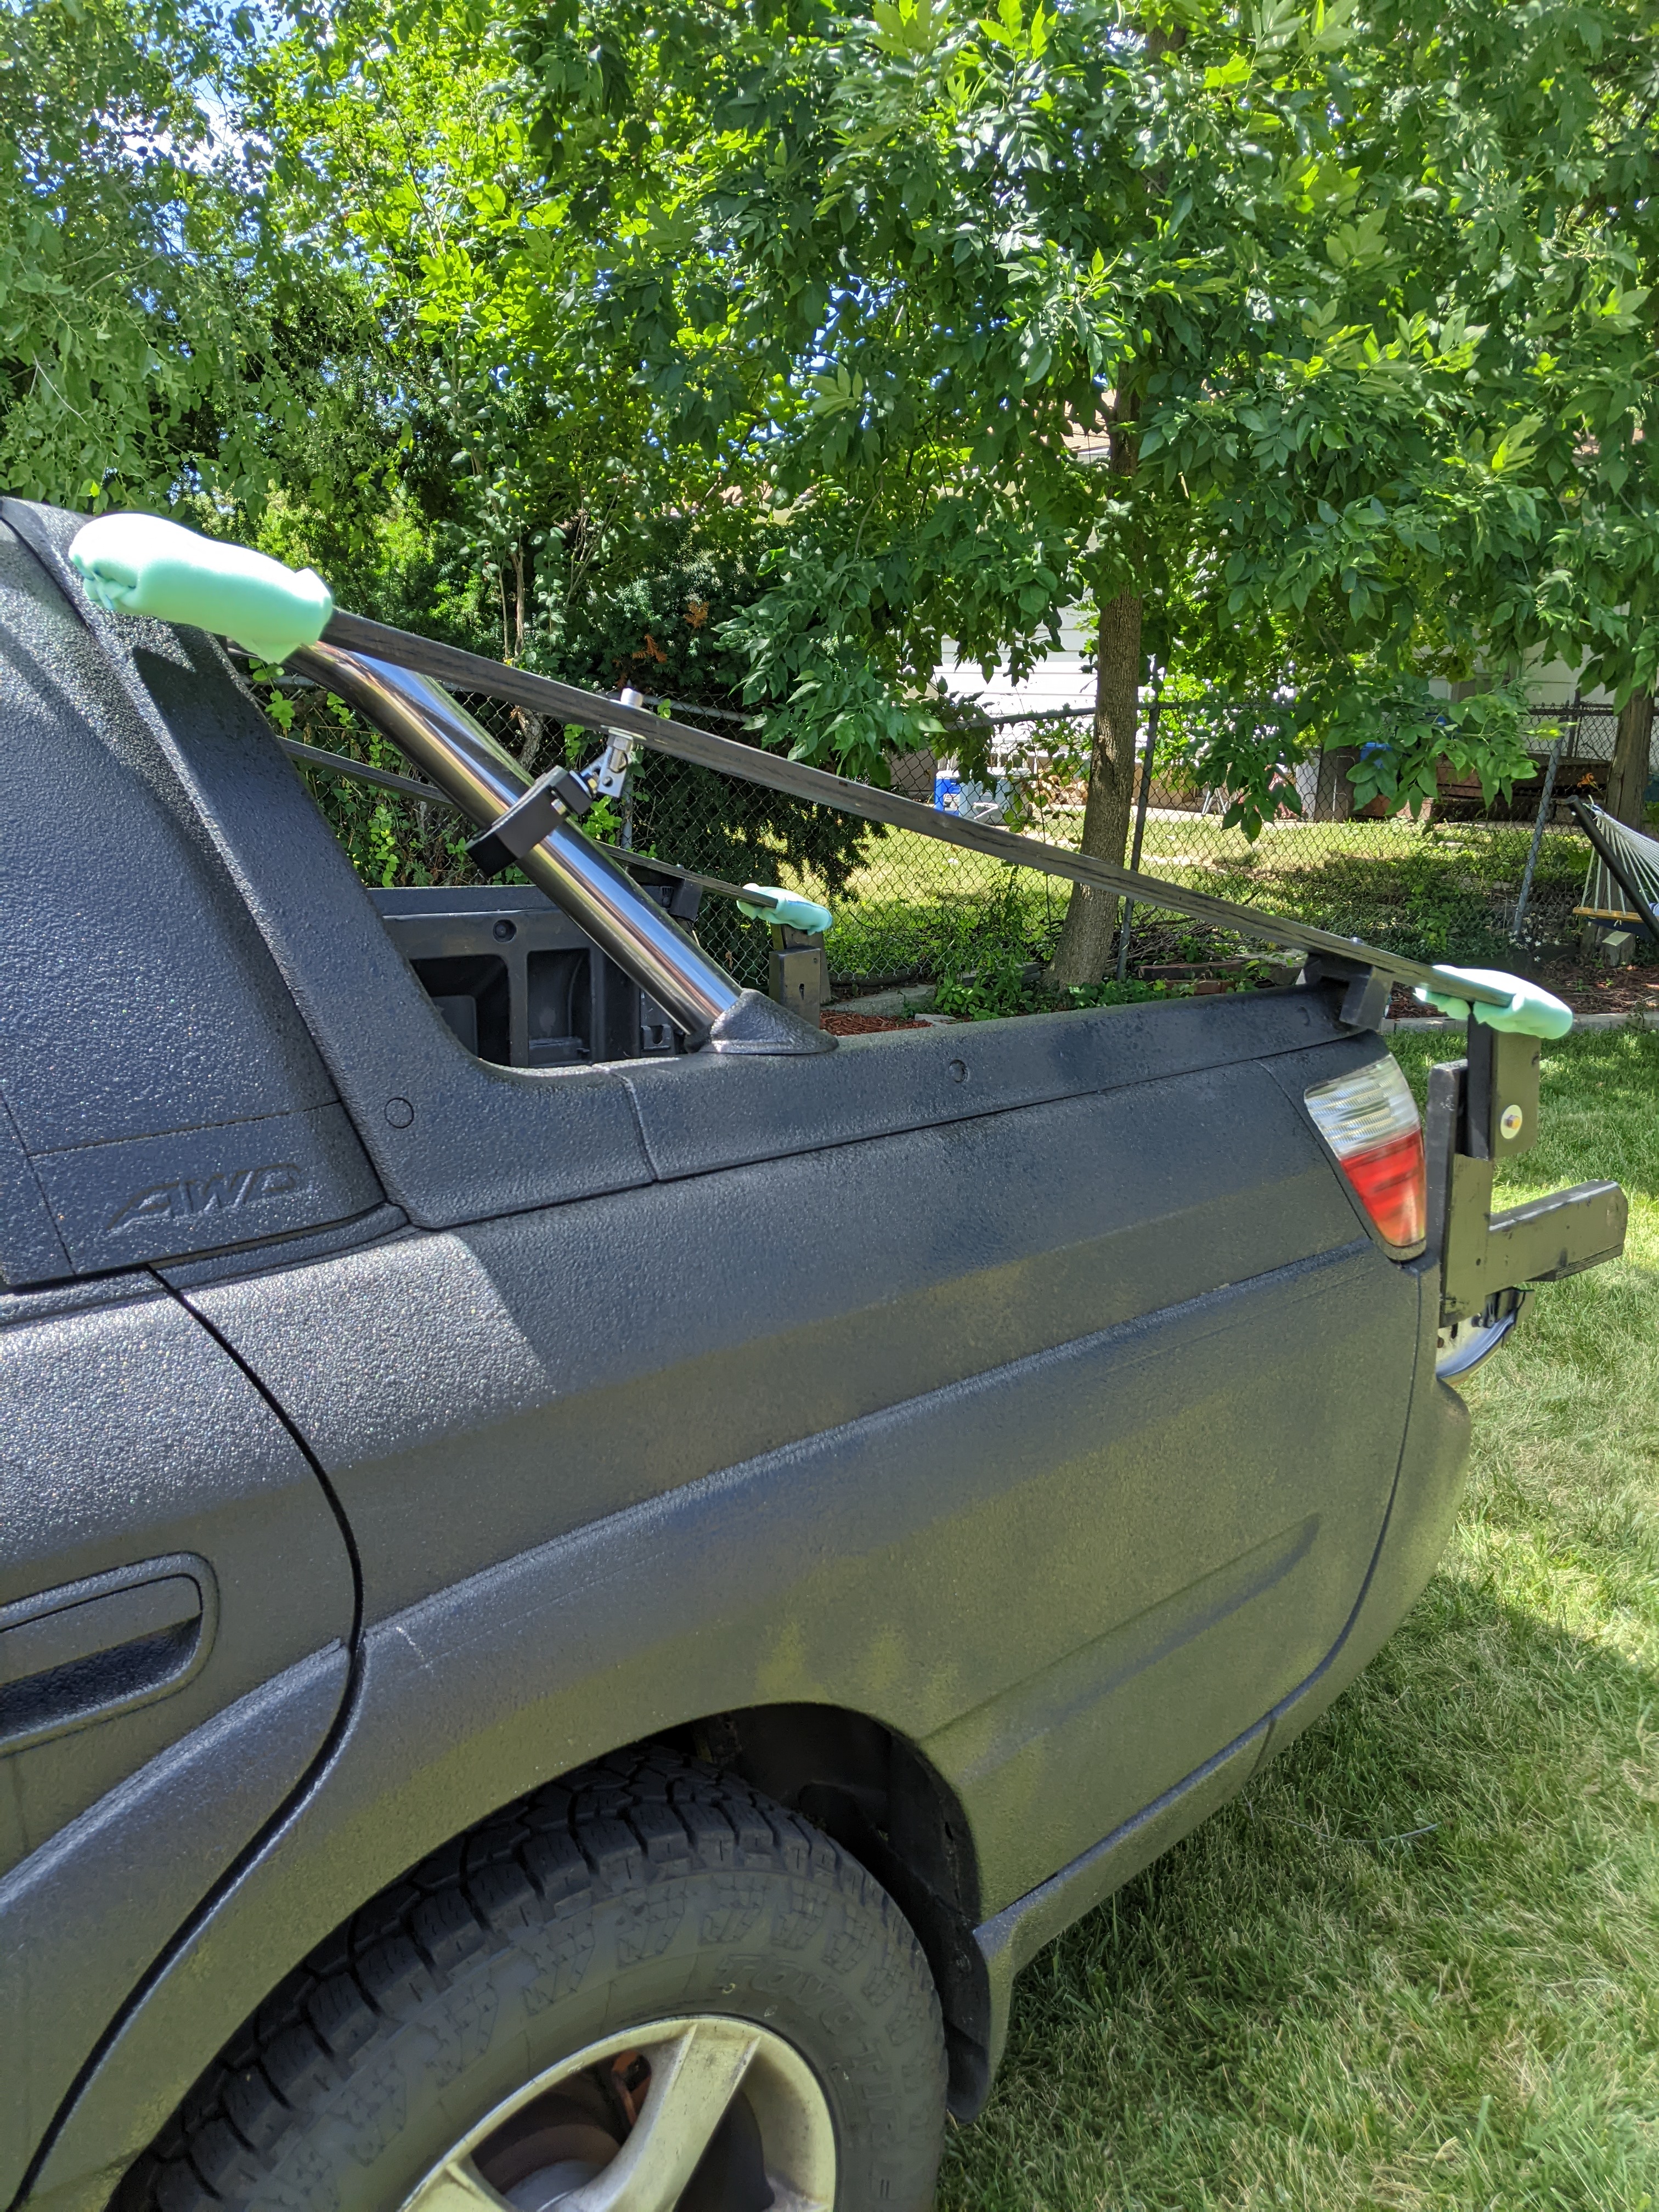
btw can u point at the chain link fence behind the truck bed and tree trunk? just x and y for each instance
(910, 908)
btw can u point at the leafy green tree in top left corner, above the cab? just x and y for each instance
(152, 353)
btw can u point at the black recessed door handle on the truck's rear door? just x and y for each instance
(94, 1649)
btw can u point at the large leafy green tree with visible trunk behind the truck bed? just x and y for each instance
(1319, 337)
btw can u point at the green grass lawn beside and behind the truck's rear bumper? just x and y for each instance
(1297, 2007)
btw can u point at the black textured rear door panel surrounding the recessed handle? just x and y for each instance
(132, 1437)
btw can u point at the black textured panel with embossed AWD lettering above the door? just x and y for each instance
(154, 1065)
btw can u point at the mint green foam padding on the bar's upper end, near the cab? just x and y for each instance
(143, 565)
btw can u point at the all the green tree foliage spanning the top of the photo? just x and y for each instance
(1324, 328)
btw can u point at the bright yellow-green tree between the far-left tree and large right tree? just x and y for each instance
(397, 163)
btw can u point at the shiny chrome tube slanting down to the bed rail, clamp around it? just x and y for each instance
(466, 762)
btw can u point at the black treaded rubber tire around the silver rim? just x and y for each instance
(634, 1890)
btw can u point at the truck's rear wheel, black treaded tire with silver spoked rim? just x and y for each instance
(645, 1990)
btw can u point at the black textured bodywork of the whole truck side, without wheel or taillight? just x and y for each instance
(1034, 1390)
